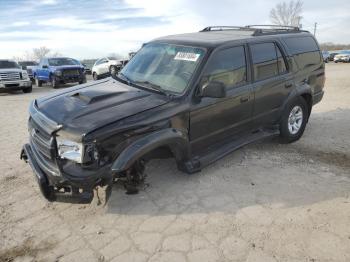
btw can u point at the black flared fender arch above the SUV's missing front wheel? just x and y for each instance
(175, 139)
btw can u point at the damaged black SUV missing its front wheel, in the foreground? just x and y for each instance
(195, 97)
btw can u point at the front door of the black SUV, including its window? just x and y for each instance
(215, 119)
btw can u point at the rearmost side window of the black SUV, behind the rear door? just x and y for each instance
(305, 51)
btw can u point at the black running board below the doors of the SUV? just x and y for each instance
(219, 150)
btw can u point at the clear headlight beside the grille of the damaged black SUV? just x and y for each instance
(69, 150)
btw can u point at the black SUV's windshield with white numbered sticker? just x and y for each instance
(164, 66)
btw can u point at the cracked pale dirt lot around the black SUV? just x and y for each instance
(265, 202)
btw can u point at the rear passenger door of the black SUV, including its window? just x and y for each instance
(272, 81)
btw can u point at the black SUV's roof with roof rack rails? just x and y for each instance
(211, 36)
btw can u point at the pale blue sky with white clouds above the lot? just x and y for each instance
(91, 29)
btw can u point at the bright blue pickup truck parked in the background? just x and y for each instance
(58, 71)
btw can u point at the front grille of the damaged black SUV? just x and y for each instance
(42, 145)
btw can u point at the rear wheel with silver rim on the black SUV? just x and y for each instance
(293, 120)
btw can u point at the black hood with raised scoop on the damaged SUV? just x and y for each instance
(87, 107)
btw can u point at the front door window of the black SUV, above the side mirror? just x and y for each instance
(227, 66)
